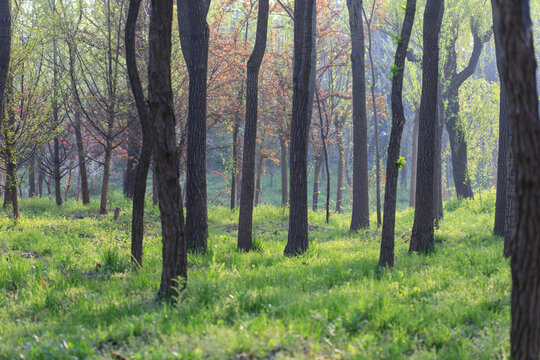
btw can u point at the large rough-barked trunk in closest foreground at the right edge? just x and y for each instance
(519, 70)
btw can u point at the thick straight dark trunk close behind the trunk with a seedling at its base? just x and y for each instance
(194, 35)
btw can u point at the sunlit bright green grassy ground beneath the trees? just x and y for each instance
(67, 290)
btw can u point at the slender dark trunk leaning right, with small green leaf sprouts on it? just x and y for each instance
(398, 122)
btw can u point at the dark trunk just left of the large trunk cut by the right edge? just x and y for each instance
(504, 136)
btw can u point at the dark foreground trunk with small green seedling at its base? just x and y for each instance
(161, 111)
